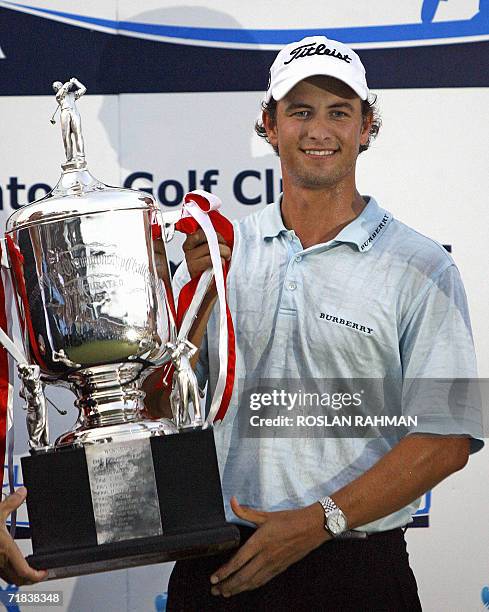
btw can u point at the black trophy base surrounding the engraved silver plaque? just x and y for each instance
(64, 527)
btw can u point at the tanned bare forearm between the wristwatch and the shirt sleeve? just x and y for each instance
(411, 468)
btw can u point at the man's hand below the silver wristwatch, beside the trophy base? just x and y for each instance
(282, 538)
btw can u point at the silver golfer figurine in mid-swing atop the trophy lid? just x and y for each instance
(66, 96)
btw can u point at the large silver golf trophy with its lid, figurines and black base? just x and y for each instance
(95, 305)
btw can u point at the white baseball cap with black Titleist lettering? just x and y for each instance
(315, 55)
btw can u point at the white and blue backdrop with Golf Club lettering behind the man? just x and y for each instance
(173, 92)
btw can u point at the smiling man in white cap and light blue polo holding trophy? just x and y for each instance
(326, 284)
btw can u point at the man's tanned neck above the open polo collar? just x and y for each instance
(319, 215)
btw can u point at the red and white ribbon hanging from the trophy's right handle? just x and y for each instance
(201, 210)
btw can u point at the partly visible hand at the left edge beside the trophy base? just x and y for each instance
(14, 569)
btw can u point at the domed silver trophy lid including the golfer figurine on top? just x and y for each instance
(77, 191)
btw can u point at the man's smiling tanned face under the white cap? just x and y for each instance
(318, 130)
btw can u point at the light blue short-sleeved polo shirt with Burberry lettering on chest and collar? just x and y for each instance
(380, 301)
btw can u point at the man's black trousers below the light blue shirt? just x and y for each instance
(371, 574)
